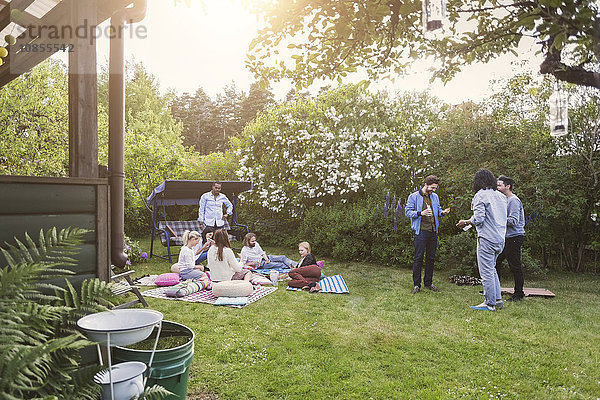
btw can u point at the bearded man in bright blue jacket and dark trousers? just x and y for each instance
(424, 210)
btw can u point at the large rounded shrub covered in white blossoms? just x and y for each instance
(329, 149)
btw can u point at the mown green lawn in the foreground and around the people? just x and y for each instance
(382, 342)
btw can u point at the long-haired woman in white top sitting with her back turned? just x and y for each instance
(222, 263)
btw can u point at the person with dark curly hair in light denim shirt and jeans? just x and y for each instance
(489, 217)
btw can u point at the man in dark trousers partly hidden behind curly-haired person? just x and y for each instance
(515, 234)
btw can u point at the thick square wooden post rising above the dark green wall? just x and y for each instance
(83, 95)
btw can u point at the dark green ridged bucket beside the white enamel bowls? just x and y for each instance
(172, 359)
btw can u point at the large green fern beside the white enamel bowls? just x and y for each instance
(40, 346)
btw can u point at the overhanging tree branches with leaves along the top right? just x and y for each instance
(305, 39)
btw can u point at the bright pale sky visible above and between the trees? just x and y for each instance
(205, 46)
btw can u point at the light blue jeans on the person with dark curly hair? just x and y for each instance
(487, 254)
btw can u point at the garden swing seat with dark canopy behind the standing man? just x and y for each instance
(188, 192)
